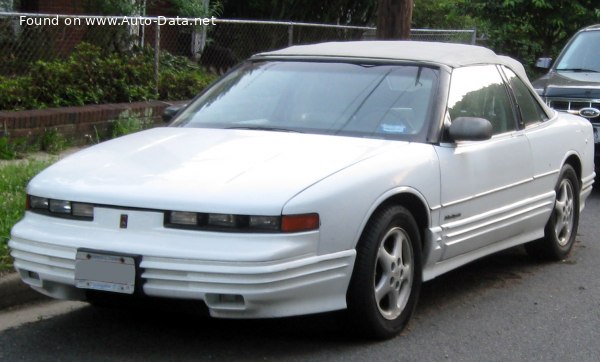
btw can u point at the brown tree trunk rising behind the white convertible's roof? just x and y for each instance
(393, 19)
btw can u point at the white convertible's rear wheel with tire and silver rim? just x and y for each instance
(561, 229)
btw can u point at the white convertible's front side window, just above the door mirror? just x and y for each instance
(479, 91)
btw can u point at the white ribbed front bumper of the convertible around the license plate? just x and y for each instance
(236, 275)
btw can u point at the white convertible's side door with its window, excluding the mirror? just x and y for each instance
(485, 185)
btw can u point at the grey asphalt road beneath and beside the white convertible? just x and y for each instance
(506, 307)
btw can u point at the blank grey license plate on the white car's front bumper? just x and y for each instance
(107, 272)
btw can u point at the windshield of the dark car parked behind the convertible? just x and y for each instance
(582, 55)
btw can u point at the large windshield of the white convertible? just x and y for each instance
(384, 101)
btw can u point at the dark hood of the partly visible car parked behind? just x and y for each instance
(569, 84)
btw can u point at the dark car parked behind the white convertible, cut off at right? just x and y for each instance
(572, 83)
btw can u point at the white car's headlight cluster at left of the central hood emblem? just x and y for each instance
(60, 208)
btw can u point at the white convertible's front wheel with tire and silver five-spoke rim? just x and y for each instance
(387, 275)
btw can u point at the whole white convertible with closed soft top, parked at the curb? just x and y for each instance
(316, 178)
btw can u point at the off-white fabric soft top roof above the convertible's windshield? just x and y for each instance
(453, 55)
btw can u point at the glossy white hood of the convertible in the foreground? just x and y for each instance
(204, 170)
